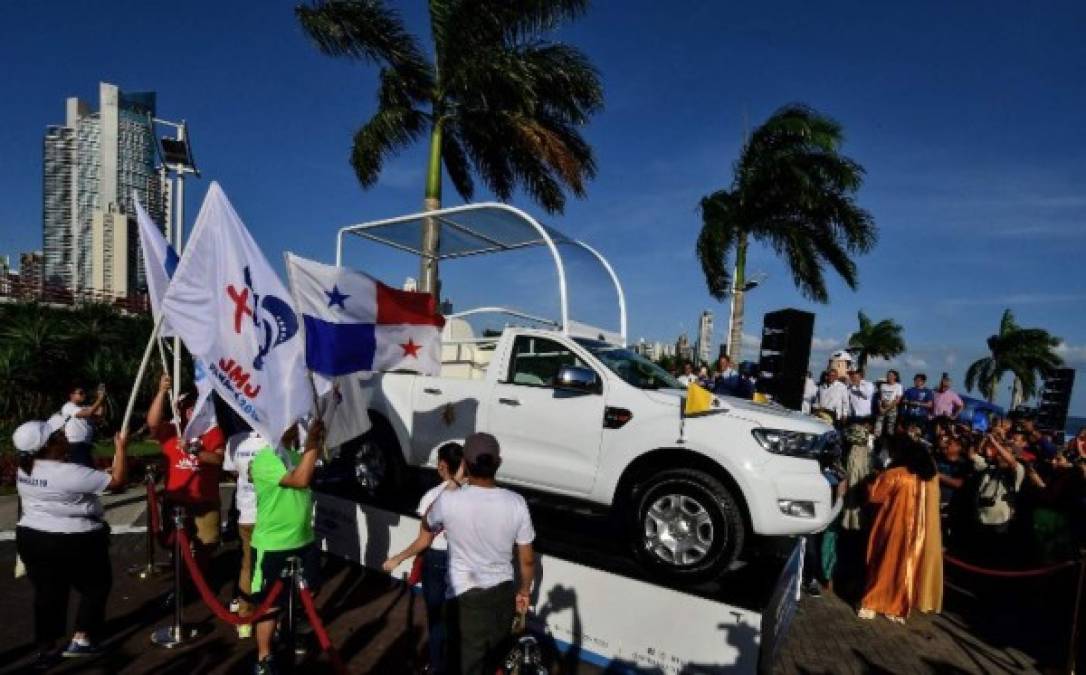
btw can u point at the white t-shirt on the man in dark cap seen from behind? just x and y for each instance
(482, 525)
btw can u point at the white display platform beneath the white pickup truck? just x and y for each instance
(607, 619)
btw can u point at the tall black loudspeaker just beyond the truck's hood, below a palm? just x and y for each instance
(786, 351)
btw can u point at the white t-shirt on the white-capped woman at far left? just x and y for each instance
(61, 498)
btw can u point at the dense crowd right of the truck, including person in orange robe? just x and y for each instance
(918, 482)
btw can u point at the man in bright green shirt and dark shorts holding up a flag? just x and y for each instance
(284, 529)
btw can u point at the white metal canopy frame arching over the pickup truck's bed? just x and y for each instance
(478, 230)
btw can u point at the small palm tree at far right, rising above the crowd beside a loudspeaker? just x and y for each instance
(1022, 352)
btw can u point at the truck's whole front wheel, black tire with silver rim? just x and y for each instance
(686, 526)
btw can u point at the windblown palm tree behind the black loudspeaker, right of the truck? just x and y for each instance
(794, 193)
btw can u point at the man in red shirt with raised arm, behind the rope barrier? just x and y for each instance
(194, 468)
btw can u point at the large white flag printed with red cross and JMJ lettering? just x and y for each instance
(233, 312)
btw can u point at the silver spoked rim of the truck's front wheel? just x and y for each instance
(678, 530)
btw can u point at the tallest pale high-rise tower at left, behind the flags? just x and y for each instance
(92, 167)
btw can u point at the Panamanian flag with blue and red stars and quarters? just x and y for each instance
(353, 323)
